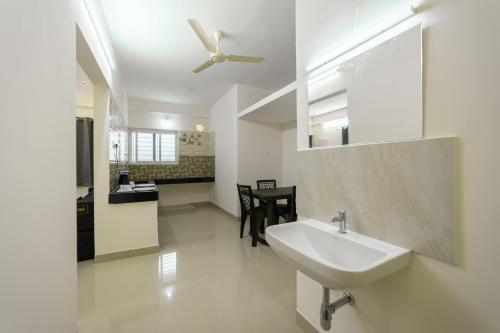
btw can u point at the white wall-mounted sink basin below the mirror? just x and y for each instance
(337, 261)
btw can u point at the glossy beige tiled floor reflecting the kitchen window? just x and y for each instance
(205, 279)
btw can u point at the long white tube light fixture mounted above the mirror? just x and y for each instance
(389, 29)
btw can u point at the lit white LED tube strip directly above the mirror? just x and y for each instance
(329, 67)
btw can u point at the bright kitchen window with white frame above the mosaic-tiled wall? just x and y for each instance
(153, 146)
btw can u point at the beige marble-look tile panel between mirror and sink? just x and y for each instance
(399, 192)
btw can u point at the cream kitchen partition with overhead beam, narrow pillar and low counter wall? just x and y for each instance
(117, 227)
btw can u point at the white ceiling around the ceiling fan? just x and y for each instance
(157, 49)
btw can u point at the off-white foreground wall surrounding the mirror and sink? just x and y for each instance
(429, 296)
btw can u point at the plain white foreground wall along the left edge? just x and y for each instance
(38, 149)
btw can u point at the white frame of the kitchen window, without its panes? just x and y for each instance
(133, 154)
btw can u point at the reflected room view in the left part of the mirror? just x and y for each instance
(328, 120)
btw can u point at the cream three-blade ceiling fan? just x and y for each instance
(216, 55)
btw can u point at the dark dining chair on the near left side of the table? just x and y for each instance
(248, 208)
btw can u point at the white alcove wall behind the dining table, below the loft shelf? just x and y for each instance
(259, 152)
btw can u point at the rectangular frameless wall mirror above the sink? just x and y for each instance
(374, 96)
